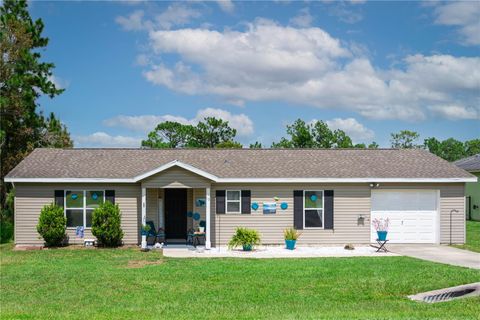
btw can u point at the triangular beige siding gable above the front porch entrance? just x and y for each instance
(175, 177)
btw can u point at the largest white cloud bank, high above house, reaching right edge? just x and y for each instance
(306, 66)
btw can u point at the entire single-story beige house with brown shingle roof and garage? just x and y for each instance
(331, 195)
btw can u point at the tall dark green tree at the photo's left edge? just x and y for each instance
(24, 78)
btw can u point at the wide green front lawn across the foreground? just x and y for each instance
(115, 284)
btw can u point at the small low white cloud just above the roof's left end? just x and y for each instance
(102, 139)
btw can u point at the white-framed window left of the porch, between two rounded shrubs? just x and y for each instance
(79, 205)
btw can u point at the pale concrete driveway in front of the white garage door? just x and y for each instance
(436, 253)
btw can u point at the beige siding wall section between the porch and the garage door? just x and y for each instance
(349, 202)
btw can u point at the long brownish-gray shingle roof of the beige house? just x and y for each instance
(238, 163)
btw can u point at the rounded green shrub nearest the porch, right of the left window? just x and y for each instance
(106, 224)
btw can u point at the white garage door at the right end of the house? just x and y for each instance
(413, 215)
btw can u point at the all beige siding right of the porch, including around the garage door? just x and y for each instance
(350, 201)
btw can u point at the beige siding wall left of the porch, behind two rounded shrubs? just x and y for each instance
(30, 199)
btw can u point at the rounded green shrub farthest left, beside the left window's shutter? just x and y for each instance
(52, 224)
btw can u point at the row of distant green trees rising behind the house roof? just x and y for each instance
(217, 133)
